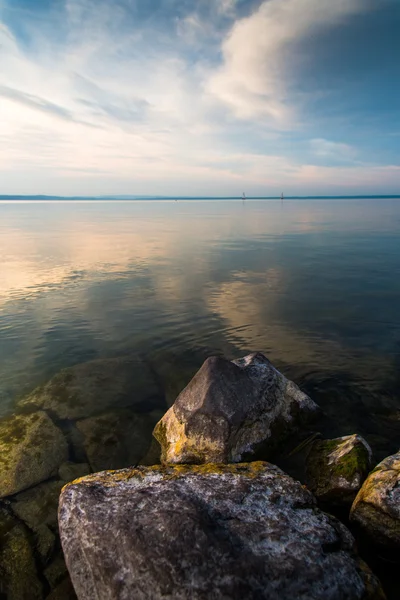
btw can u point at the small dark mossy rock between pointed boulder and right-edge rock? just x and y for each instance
(337, 468)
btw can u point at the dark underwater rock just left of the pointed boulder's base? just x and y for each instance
(117, 439)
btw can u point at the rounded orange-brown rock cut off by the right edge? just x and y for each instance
(376, 509)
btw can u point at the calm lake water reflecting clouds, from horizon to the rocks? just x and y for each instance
(313, 284)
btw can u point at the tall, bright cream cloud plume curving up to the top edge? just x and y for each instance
(252, 80)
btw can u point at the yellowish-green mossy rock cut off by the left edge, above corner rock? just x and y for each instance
(31, 450)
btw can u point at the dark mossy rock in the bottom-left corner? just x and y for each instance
(18, 576)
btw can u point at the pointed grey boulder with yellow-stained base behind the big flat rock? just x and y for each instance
(232, 411)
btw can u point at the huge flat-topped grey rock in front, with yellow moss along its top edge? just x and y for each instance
(200, 532)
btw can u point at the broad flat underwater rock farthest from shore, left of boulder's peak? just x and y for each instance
(97, 386)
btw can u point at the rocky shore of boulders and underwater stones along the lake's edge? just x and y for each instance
(200, 511)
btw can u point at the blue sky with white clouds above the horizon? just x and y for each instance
(213, 97)
